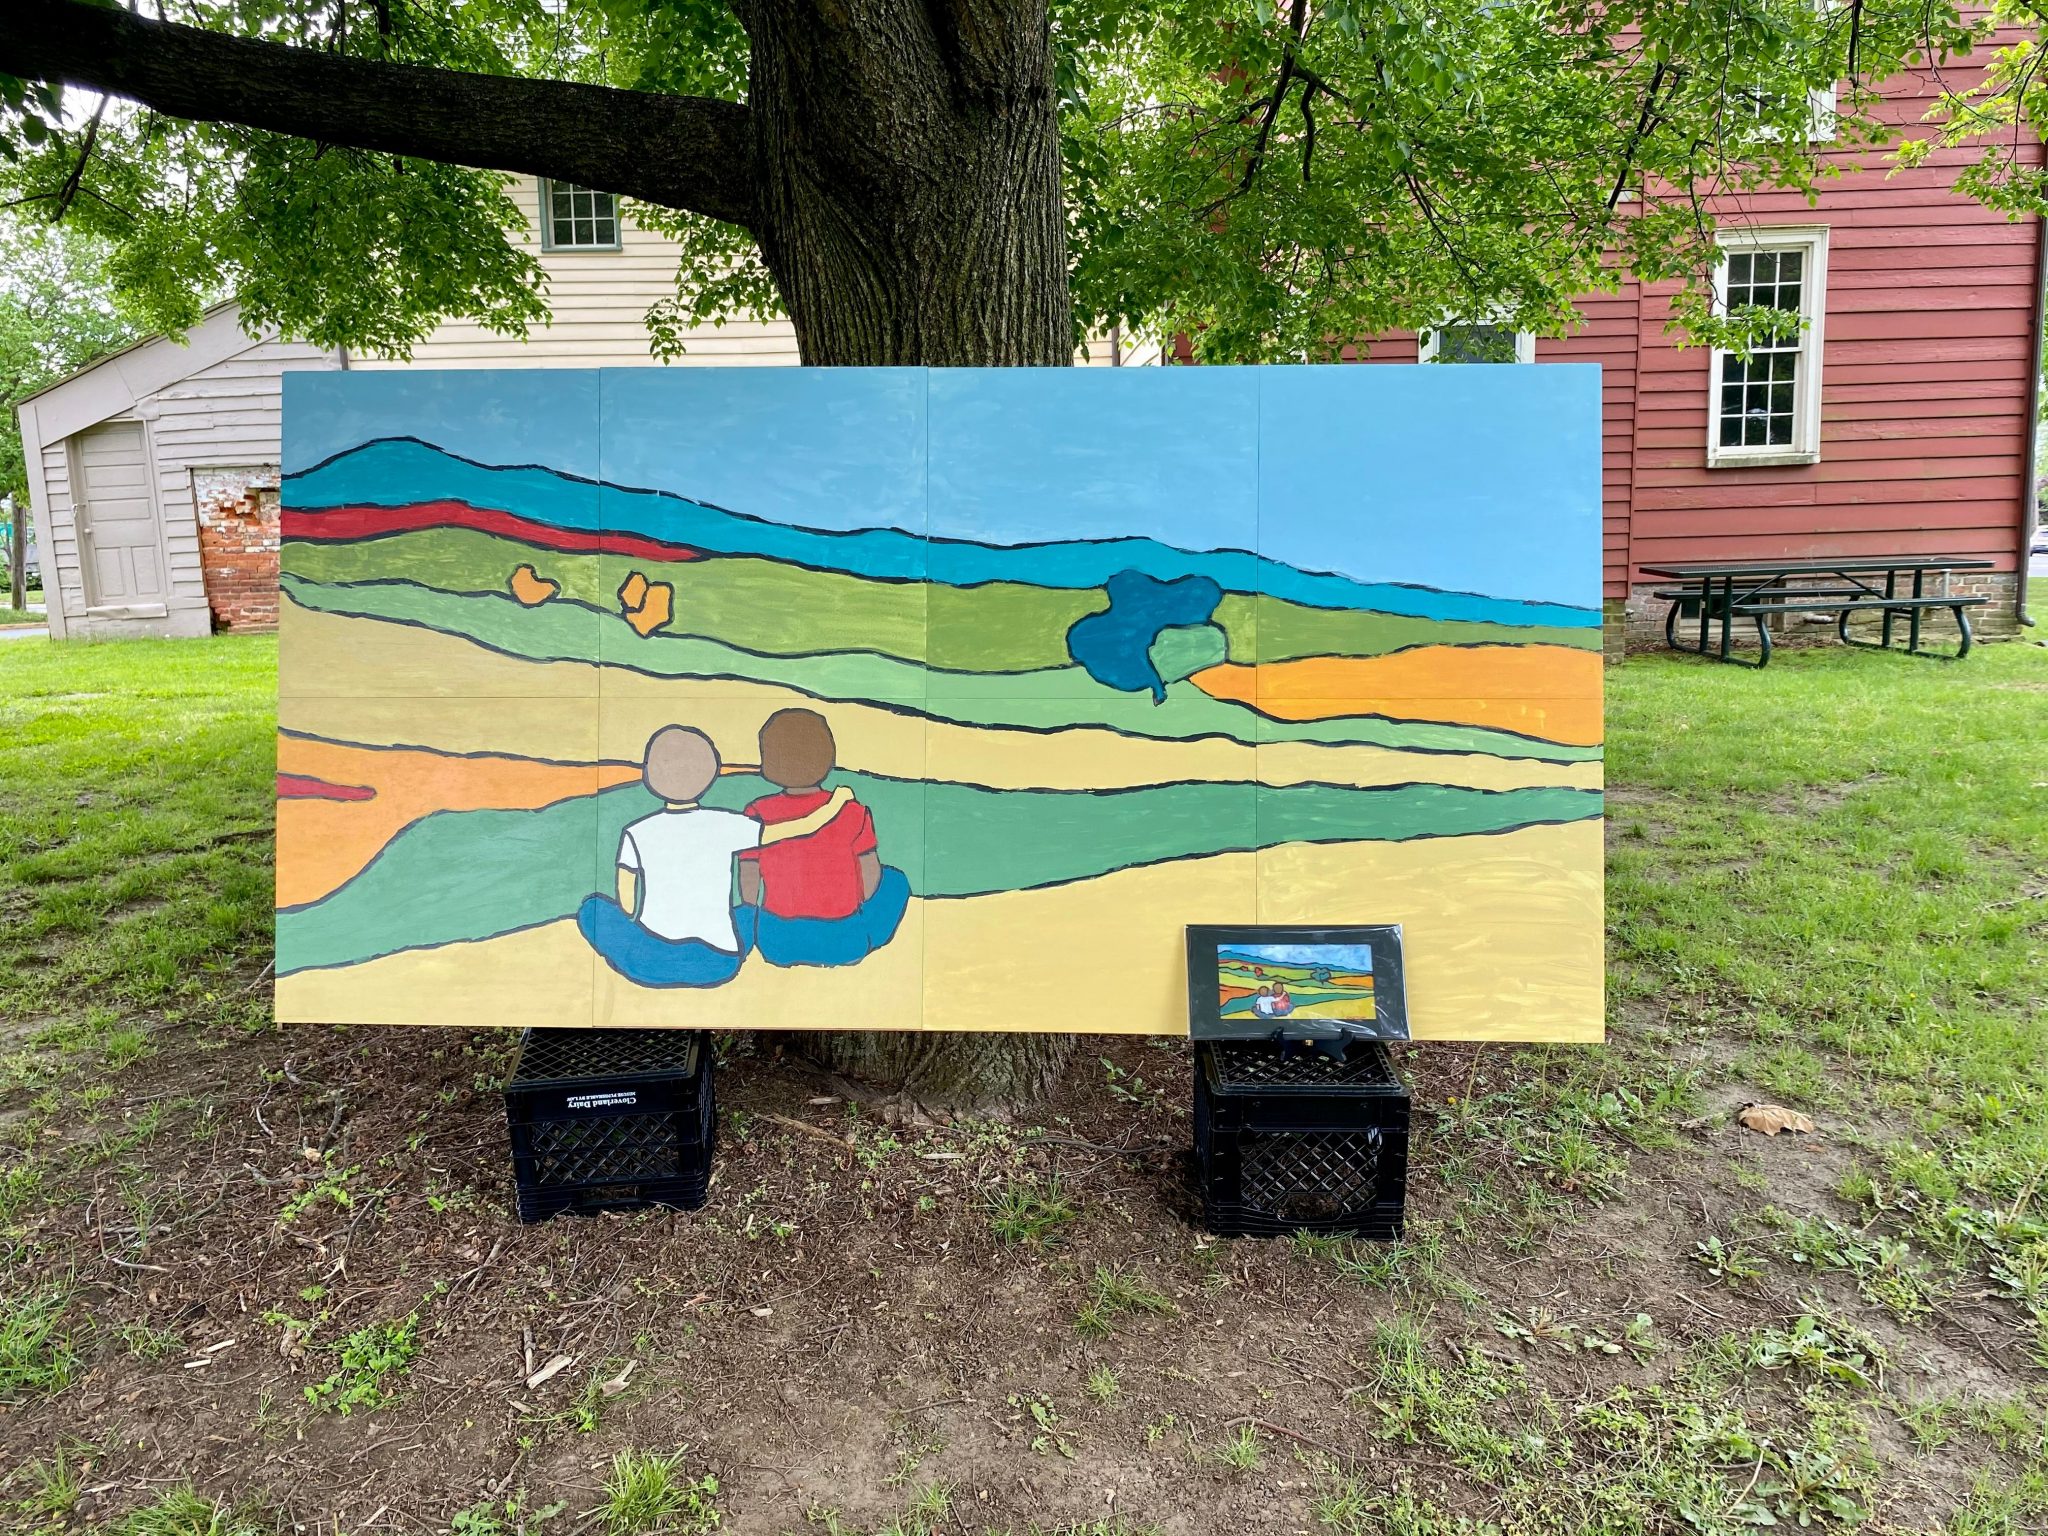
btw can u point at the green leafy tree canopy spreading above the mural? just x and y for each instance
(1267, 177)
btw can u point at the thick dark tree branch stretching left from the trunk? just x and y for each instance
(683, 153)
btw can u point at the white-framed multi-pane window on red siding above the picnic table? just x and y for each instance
(1764, 407)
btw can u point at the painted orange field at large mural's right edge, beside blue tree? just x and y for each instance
(1543, 691)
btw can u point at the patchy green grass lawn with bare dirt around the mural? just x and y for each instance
(275, 1267)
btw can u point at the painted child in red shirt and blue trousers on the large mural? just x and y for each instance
(820, 894)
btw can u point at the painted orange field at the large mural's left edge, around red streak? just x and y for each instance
(333, 841)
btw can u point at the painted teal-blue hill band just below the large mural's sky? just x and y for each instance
(398, 472)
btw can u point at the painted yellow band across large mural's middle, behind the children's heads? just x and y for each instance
(521, 708)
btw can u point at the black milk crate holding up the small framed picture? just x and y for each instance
(1289, 1140)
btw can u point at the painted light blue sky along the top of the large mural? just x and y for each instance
(1459, 478)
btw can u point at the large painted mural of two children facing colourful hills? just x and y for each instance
(935, 699)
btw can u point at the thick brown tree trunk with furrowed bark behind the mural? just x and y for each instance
(908, 208)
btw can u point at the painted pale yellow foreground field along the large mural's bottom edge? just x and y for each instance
(1500, 943)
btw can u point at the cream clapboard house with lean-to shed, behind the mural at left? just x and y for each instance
(153, 472)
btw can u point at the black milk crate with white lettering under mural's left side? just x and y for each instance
(611, 1121)
